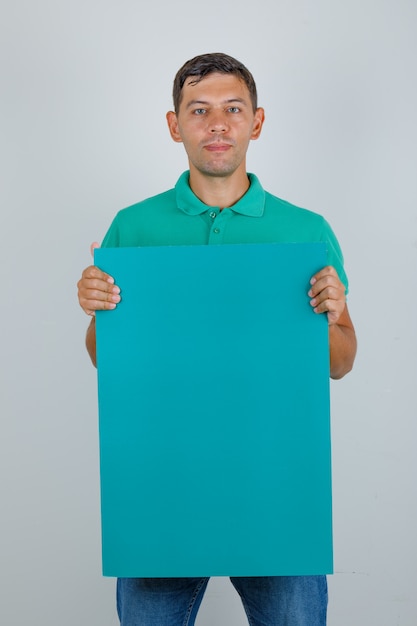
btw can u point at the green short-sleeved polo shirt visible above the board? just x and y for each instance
(178, 217)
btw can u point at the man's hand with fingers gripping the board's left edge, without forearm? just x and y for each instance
(96, 290)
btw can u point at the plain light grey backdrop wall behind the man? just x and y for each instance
(85, 86)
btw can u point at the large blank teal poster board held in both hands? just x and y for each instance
(213, 381)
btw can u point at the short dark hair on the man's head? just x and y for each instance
(215, 62)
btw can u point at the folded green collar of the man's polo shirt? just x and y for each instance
(251, 204)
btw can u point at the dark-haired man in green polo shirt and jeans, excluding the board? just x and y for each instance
(216, 116)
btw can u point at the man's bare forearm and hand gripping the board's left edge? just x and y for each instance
(96, 292)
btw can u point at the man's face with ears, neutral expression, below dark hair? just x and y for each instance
(216, 122)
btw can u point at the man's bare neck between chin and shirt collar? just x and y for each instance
(219, 191)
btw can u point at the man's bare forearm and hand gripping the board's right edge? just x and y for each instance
(328, 296)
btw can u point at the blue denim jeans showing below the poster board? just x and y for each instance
(268, 601)
